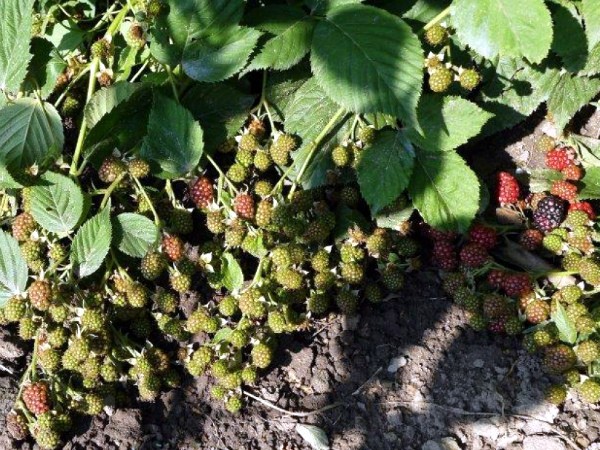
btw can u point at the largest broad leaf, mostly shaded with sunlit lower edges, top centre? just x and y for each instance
(368, 60)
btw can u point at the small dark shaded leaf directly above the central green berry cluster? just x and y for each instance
(221, 110)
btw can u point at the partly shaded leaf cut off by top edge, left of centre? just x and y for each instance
(187, 19)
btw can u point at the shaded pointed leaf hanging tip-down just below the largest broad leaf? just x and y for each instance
(385, 168)
